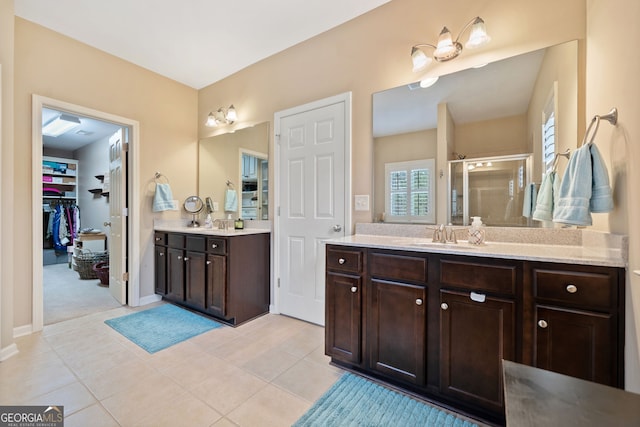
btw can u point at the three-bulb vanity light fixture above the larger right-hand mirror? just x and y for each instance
(447, 49)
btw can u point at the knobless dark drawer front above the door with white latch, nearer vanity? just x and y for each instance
(497, 278)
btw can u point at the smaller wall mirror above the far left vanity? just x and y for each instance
(236, 161)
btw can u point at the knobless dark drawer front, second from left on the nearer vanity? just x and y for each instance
(398, 267)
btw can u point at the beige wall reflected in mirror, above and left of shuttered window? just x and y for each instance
(399, 148)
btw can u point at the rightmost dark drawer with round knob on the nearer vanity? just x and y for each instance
(591, 290)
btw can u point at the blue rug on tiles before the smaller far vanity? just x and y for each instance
(161, 327)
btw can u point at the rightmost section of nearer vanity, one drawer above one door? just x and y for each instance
(579, 321)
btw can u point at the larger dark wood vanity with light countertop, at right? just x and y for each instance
(438, 319)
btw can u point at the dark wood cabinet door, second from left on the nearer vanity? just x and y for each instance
(396, 330)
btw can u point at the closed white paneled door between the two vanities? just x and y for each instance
(312, 181)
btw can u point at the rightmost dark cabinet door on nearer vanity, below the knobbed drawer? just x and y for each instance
(576, 343)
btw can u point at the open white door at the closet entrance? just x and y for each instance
(118, 215)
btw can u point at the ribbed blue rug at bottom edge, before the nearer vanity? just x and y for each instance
(355, 401)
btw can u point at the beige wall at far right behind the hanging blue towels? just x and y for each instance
(612, 81)
